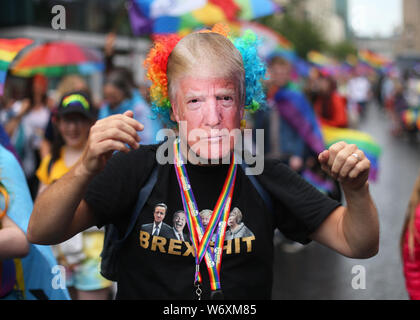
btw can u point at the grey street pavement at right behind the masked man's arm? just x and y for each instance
(316, 272)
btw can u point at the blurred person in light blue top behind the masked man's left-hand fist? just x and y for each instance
(121, 95)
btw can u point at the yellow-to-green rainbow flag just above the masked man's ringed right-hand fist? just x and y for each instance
(364, 142)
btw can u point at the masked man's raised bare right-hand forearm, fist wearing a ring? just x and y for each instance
(351, 231)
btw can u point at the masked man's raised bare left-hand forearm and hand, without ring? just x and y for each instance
(51, 224)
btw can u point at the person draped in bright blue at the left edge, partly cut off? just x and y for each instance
(36, 274)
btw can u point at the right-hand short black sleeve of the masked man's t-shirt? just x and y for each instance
(299, 207)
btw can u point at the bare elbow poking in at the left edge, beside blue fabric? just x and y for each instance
(13, 243)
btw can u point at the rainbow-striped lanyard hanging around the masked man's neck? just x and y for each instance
(201, 238)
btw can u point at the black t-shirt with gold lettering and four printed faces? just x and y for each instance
(162, 266)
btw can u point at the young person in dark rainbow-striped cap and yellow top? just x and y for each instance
(80, 254)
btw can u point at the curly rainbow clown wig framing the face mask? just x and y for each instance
(251, 69)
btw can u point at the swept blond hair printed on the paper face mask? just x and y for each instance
(213, 53)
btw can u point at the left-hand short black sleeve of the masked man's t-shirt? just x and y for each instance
(112, 194)
